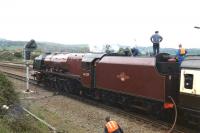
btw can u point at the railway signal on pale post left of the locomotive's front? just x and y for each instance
(28, 48)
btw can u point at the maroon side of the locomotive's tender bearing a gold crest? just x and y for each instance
(133, 76)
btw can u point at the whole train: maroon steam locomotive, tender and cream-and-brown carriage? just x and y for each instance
(153, 84)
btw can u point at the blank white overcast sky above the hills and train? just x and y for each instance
(99, 22)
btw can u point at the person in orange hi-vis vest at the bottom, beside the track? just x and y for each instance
(112, 126)
